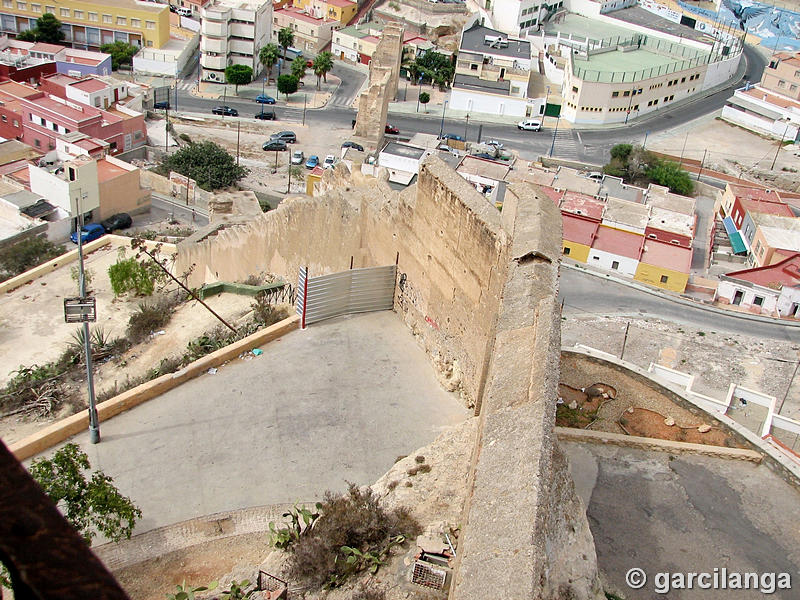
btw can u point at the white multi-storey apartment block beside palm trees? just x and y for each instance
(233, 33)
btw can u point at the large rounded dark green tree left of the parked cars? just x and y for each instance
(207, 163)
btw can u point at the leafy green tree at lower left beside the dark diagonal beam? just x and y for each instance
(91, 507)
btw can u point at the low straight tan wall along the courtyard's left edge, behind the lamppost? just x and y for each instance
(66, 428)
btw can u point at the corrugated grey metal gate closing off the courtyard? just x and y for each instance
(353, 291)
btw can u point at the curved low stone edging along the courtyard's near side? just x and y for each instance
(170, 538)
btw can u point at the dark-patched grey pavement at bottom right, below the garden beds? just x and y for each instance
(681, 514)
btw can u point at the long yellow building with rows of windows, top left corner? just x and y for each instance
(92, 23)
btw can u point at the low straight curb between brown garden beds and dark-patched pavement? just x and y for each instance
(569, 434)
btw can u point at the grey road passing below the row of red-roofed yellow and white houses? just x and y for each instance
(587, 294)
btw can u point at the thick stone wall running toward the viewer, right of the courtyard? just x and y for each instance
(524, 529)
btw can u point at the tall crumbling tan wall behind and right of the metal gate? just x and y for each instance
(444, 237)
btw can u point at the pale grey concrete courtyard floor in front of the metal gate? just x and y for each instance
(337, 402)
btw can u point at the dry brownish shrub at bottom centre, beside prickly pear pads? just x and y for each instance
(354, 519)
